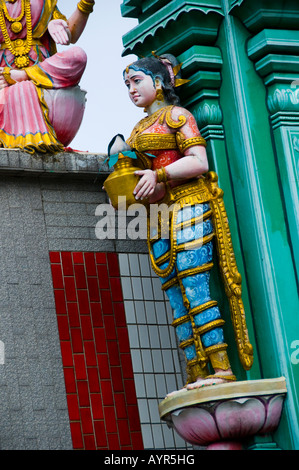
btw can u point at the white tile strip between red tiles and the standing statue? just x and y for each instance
(155, 355)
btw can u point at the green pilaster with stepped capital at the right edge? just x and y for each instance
(276, 59)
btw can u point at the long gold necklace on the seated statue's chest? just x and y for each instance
(20, 47)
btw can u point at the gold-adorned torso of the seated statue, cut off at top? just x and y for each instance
(23, 28)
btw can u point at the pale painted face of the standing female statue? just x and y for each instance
(141, 88)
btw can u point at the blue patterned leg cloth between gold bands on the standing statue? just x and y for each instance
(197, 287)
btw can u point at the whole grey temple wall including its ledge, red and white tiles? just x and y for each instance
(88, 346)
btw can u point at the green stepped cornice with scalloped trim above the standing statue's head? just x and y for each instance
(171, 26)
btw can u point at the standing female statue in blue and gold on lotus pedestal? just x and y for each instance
(174, 162)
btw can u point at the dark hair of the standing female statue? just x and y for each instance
(154, 67)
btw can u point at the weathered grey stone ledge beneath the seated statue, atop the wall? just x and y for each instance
(67, 164)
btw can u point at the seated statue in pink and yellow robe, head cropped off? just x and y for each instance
(41, 105)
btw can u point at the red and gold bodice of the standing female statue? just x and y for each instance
(165, 137)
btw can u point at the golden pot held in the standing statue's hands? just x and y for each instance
(122, 182)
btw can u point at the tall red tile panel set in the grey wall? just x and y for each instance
(95, 351)
